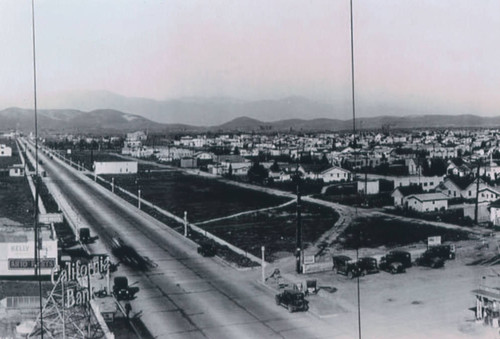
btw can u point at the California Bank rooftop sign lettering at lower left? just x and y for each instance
(79, 272)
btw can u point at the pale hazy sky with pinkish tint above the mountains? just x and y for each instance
(411, 53)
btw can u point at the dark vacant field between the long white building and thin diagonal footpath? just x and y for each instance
(202, 198)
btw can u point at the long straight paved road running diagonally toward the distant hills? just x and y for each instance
(186, 295)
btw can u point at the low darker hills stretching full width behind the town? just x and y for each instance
(113, 121)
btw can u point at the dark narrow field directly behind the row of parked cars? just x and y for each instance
(390, 232)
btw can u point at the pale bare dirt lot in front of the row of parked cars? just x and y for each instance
(422, 303)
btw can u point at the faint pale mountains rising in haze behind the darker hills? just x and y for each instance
(197, 111)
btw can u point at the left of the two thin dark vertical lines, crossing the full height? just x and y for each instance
(37, 231)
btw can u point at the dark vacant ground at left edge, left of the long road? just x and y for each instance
(16, 201)
